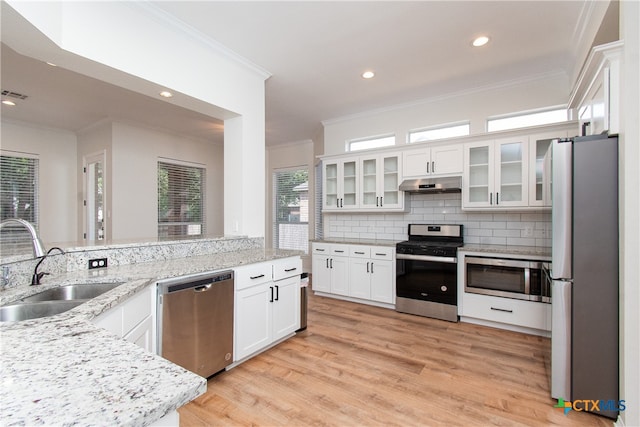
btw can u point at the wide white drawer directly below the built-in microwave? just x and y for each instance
(504, 310)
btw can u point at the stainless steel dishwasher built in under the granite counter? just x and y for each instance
(195, 321)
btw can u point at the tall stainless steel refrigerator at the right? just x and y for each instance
(584, 334)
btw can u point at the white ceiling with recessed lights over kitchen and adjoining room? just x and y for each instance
(316, 51)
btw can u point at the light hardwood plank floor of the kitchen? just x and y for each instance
(357, 365)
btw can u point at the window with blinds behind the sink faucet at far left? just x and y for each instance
(18, 199)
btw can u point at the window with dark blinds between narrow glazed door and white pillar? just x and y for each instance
(180, 200)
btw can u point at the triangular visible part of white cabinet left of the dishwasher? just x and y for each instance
(133, 319)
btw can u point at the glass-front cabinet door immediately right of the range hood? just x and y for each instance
(478, 185)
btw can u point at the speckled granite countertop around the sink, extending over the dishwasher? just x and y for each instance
(65, 370)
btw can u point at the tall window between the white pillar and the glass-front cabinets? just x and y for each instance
(291, 209)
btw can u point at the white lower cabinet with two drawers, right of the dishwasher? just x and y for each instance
(267, 304)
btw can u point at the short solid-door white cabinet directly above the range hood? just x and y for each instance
(438, 160)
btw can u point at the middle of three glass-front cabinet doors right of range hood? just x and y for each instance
(512, 169)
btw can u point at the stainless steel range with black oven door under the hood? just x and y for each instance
(426, 271)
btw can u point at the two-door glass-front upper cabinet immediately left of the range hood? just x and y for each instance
(379, 181)
